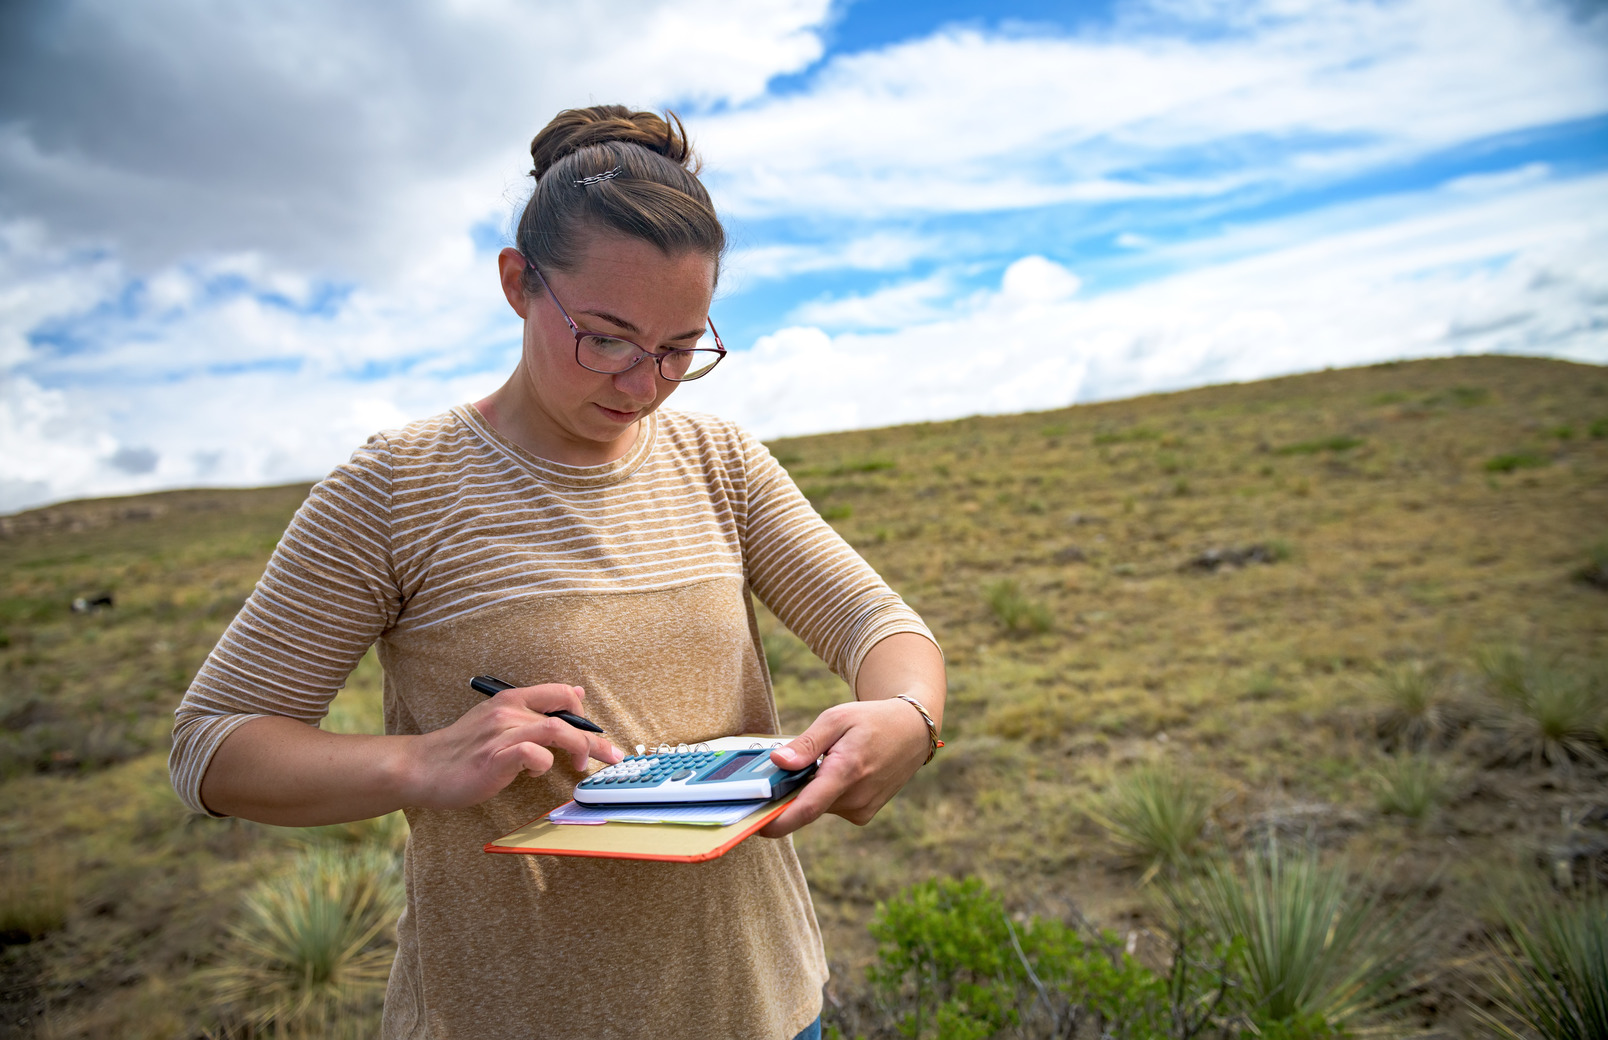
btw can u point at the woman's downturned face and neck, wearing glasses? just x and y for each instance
(623, 287)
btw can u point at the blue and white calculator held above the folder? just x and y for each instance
(691, 777)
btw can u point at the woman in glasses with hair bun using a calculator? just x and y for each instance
(567, 536)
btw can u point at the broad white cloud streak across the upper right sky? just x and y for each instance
(969, 123)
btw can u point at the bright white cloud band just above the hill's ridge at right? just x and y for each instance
(1522, 272)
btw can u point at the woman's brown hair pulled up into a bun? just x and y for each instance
(655, 195)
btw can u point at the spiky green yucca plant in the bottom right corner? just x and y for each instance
(1551, 978)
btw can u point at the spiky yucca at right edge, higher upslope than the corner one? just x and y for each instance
(1548, 714)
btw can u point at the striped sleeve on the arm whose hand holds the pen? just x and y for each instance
(327, 596)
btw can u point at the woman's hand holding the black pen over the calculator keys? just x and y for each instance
(494, 742)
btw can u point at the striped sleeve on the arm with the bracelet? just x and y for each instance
(810, 578)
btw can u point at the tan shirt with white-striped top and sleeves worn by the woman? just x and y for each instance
(462, 555)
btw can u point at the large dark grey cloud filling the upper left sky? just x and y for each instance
(337, 139)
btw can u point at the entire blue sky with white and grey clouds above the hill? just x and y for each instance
(236, 240)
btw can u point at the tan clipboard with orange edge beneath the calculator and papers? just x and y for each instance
(668, 843)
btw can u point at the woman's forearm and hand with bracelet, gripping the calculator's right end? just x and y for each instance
(872, 747)
